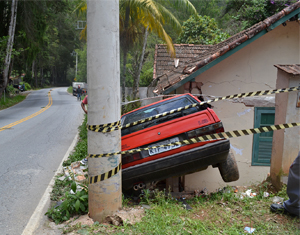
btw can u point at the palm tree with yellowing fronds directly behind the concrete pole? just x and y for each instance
(151, 15)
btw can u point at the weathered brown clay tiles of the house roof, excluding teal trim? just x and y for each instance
(193, 57)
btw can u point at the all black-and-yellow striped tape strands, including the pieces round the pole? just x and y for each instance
(109, 127)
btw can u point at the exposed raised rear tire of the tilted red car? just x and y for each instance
(229, 169)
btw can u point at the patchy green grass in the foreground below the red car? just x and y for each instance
(222, 212)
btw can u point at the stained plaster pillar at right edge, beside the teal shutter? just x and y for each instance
(285, 145)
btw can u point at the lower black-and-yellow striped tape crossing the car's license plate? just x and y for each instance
(222, 135)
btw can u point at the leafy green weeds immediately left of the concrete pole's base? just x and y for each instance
(73, 204)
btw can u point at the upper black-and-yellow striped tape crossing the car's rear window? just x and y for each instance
(105, 128)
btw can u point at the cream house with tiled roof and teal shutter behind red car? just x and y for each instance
(242, 63)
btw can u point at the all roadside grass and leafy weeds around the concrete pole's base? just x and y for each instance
(226, 211)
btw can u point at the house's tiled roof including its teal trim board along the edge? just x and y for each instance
(195, 59)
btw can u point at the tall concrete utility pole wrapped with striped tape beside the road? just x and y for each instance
(103, 76)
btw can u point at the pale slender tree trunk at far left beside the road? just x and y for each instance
(10, 43)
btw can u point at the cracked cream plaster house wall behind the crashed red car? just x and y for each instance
(249, 69)
